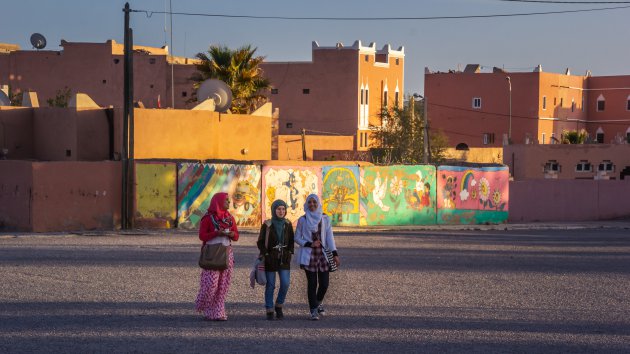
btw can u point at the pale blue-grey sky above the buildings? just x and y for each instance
(596, 41)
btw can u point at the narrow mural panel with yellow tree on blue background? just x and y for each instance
(340, 194)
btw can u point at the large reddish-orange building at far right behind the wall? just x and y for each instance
(477, 109)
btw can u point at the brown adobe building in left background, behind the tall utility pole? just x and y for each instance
(97, 70)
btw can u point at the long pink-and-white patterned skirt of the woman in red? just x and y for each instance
(213, 288)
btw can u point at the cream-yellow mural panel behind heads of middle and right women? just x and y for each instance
(291, 184)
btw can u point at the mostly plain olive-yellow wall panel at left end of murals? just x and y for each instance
(155, 194)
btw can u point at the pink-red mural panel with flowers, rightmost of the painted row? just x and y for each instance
(469, 195)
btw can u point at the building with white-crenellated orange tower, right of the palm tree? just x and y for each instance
(341, 91)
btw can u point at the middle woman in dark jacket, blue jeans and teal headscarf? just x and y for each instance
(275, 243)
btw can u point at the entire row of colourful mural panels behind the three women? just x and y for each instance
(351, 195)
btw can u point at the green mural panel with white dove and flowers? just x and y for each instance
(397, 195)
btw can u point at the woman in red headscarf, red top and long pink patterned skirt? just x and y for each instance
(217, 226)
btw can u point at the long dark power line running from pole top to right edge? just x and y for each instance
(149, 13)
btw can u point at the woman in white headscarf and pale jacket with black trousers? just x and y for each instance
(313, 234)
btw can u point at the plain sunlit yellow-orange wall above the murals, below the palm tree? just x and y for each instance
(200, 135)
